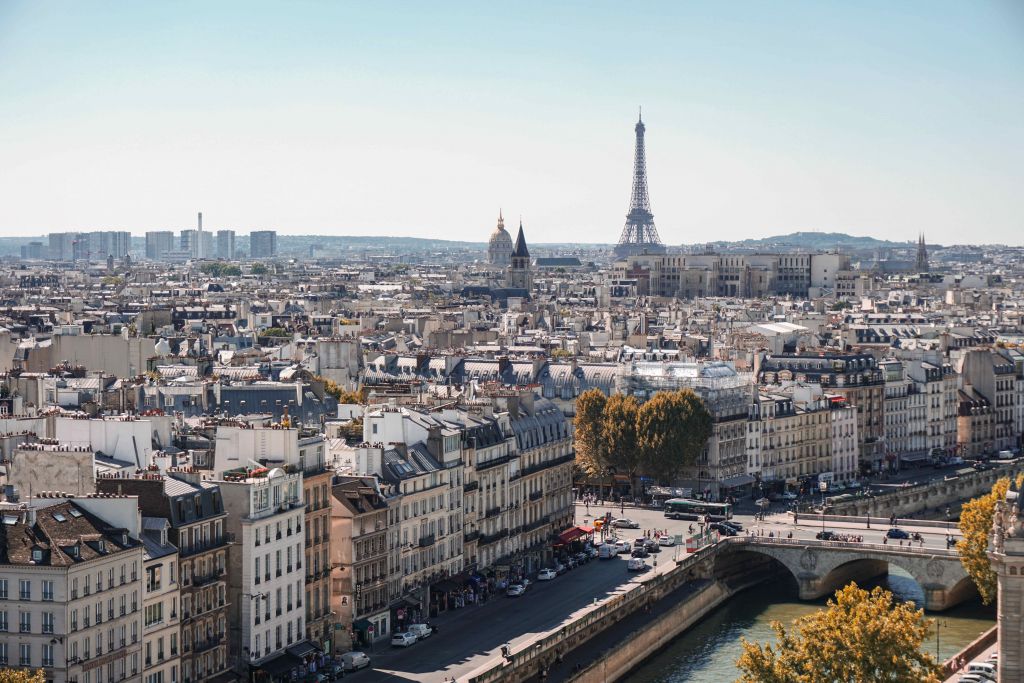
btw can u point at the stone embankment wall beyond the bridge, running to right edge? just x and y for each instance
(918, 499)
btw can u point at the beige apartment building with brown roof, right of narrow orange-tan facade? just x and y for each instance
(361, 564)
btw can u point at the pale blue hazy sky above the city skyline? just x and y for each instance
(424, 119)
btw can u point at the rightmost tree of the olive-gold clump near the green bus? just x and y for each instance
(672, 431)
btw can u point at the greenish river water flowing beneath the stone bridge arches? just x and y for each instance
(708, 653)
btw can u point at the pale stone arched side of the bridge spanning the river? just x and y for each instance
(823, 567)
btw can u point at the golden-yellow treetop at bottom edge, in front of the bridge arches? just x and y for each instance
(860, 636)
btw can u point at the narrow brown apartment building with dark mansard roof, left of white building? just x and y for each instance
(195, 511)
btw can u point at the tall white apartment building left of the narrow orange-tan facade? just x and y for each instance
(267, 579)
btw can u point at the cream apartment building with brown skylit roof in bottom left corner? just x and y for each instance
(71, 588)
